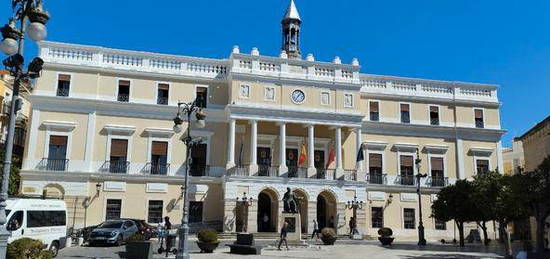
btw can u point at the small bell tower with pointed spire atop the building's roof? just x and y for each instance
(291, 31)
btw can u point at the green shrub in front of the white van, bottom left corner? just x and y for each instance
(27, 248)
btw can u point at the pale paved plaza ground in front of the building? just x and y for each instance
(346, 249)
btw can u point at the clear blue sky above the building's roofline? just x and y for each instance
(488, 41)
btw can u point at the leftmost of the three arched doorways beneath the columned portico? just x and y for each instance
(267, 211)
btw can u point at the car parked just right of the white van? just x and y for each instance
(113, 232)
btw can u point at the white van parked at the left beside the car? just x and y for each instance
(44, 220)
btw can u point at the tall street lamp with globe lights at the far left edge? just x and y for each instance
(27, 13)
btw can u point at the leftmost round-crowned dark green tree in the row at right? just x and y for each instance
(455, 202)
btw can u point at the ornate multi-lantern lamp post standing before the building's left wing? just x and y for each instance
(186, 110)
